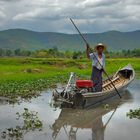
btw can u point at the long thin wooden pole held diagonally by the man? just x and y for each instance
(96, 58)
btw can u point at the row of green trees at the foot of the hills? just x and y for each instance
(55, 53)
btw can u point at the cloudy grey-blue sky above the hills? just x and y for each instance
(53, 15)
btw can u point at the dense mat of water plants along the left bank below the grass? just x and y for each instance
(27, 89)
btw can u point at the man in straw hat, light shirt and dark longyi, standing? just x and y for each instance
(97, 69)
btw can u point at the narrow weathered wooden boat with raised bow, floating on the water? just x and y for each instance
(85, 96)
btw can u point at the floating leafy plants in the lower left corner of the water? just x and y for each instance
(31, 122)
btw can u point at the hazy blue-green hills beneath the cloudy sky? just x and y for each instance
(30, 40)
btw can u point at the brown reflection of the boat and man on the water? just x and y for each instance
(70, 120)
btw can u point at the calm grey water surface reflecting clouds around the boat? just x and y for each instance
(96, 123)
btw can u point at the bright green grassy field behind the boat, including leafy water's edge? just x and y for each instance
(23, 77)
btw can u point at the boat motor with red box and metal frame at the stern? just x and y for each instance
(72, 94)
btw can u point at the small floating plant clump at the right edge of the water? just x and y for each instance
(134, 113)
